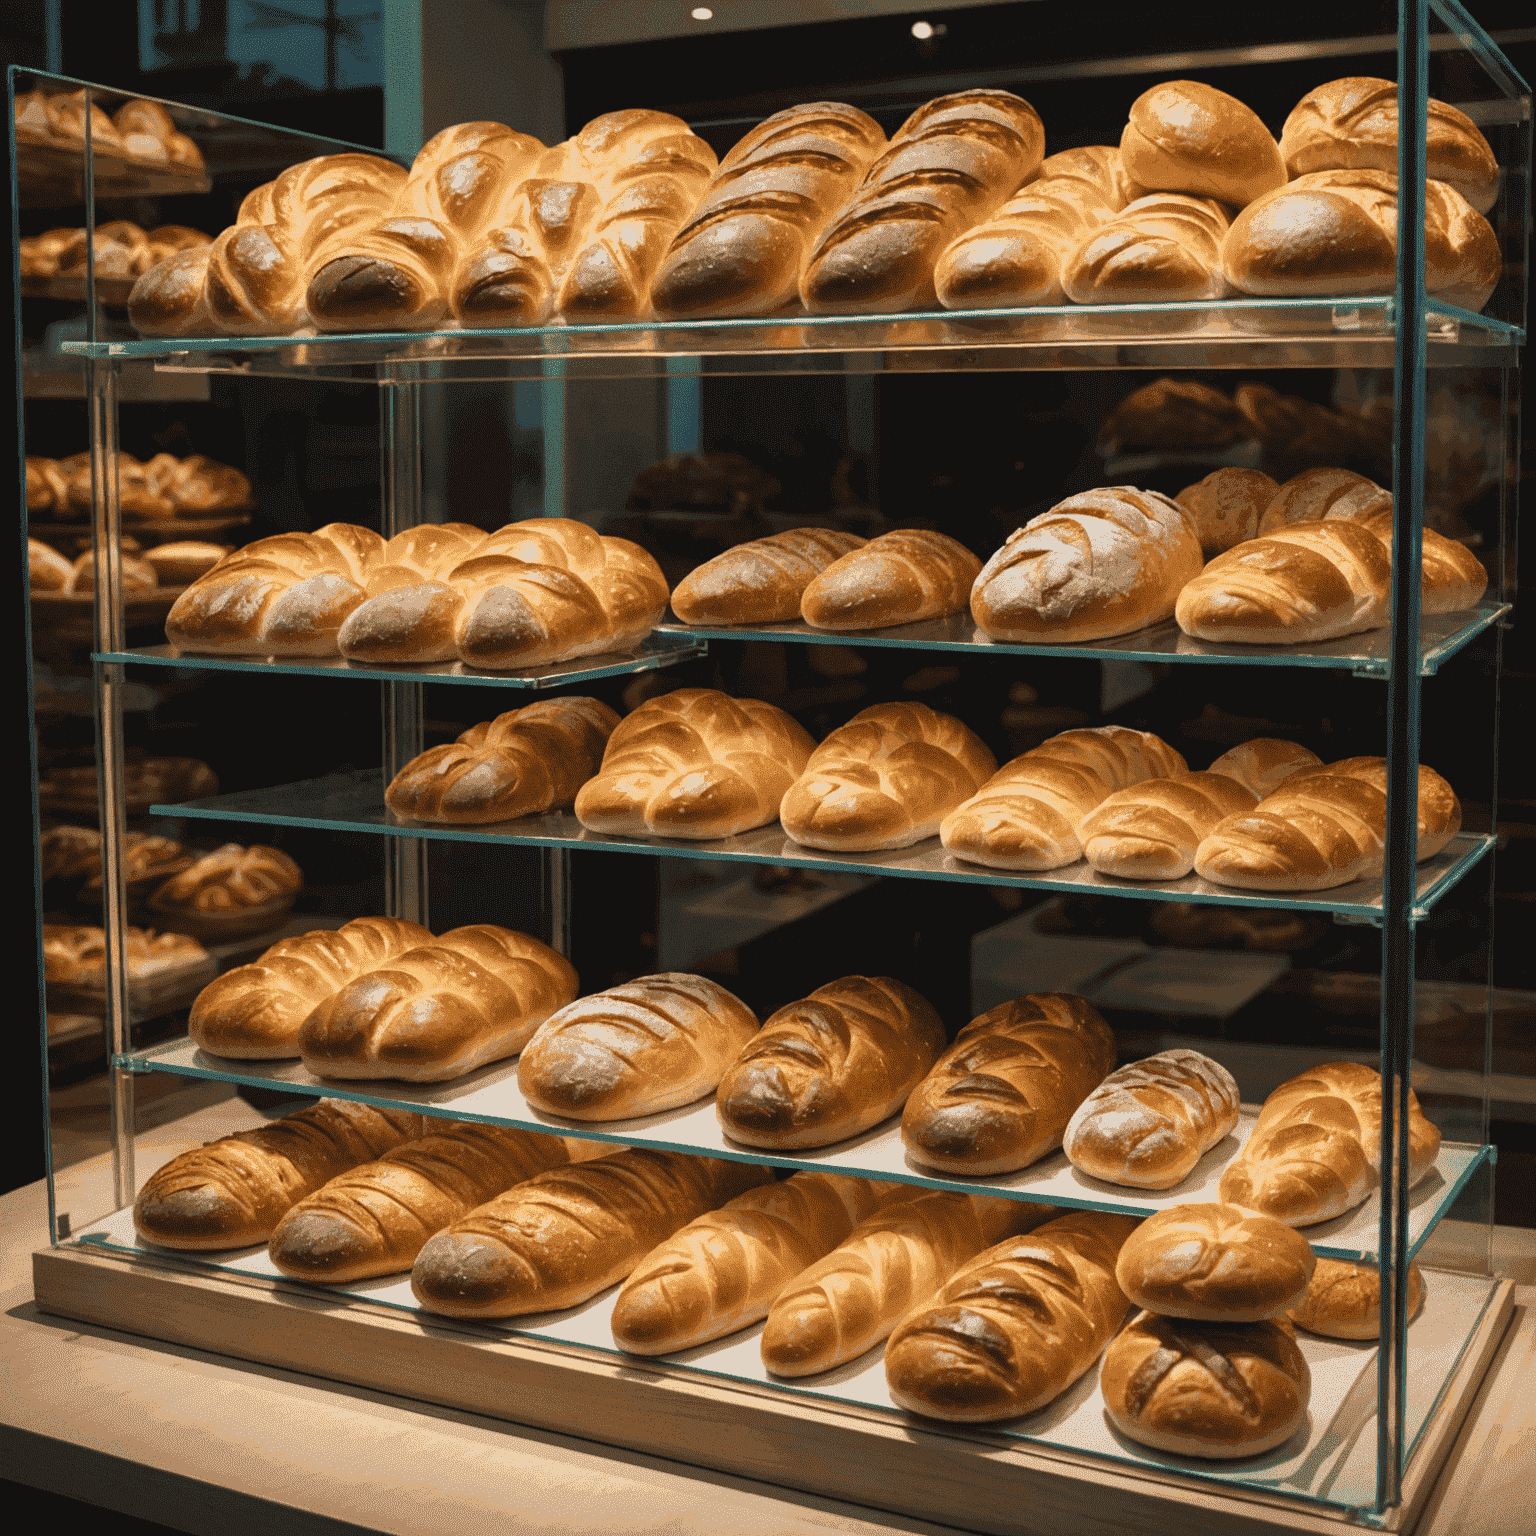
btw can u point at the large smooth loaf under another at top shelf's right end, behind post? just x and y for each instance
(1336, 233)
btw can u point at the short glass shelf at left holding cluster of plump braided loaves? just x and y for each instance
(655, 652)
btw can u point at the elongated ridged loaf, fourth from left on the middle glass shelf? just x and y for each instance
(1028, 813)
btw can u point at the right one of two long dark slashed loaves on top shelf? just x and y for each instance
(948, 167)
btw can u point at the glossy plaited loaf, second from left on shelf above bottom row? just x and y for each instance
(442, 1010)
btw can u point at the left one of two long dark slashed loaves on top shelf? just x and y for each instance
(743, 250)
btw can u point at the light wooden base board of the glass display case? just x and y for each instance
(867, 1457)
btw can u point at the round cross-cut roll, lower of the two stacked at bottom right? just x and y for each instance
(1207, 1389)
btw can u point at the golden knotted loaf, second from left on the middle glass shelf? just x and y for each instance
(695, 764)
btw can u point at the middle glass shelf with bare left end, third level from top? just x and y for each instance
(354, 803)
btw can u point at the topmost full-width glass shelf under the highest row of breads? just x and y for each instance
(1225, 334)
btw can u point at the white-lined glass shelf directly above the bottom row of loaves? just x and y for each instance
(492, 1096)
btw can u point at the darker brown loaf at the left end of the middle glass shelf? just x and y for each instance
(521, 764)
